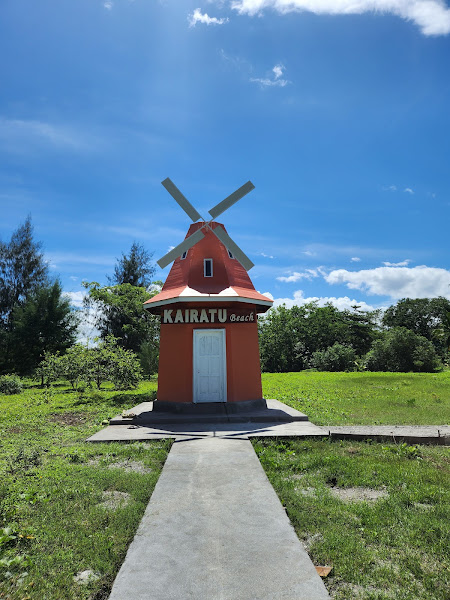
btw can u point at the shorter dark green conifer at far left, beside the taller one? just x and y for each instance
(45, 322)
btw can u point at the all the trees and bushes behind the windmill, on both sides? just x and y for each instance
(37, 323)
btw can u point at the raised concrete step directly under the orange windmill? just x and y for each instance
(150, 413)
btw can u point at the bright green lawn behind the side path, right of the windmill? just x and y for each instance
(364, 398)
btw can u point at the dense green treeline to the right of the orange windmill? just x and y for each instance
(412, 335)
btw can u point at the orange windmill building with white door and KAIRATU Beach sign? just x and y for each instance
(209, 349)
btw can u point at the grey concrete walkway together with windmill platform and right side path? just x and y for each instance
(214, 528)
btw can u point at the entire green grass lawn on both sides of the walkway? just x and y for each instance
(68, 507)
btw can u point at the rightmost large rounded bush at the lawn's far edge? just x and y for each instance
(401, 350)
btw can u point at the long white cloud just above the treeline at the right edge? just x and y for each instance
(396, 282)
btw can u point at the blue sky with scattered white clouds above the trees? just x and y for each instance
(336, 110)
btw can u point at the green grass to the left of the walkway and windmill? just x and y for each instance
(53, 523)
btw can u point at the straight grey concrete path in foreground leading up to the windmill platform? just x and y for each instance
(215, 529)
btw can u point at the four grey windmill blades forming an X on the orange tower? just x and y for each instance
(219, 232)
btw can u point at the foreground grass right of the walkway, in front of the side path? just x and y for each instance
(394, 547)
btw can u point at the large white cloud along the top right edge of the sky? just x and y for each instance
(431, 16)
